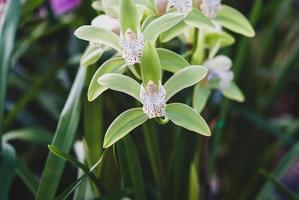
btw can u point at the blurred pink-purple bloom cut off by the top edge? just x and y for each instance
(63, 6)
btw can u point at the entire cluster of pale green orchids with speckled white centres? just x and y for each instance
(137, 31)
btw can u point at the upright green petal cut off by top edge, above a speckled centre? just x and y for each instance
(128, 16)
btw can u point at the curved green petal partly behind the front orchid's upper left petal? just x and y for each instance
(114, 65)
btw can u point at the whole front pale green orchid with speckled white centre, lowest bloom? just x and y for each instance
(154, 96)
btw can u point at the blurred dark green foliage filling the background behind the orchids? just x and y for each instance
(253, 152)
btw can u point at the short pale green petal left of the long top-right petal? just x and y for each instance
(198, 20)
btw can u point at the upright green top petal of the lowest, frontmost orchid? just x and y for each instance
(150, 64)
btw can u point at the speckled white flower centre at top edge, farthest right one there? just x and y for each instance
(210, 8)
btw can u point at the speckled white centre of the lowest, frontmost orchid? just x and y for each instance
(153, 100)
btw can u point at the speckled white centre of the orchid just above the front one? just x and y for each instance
(132, 46)
